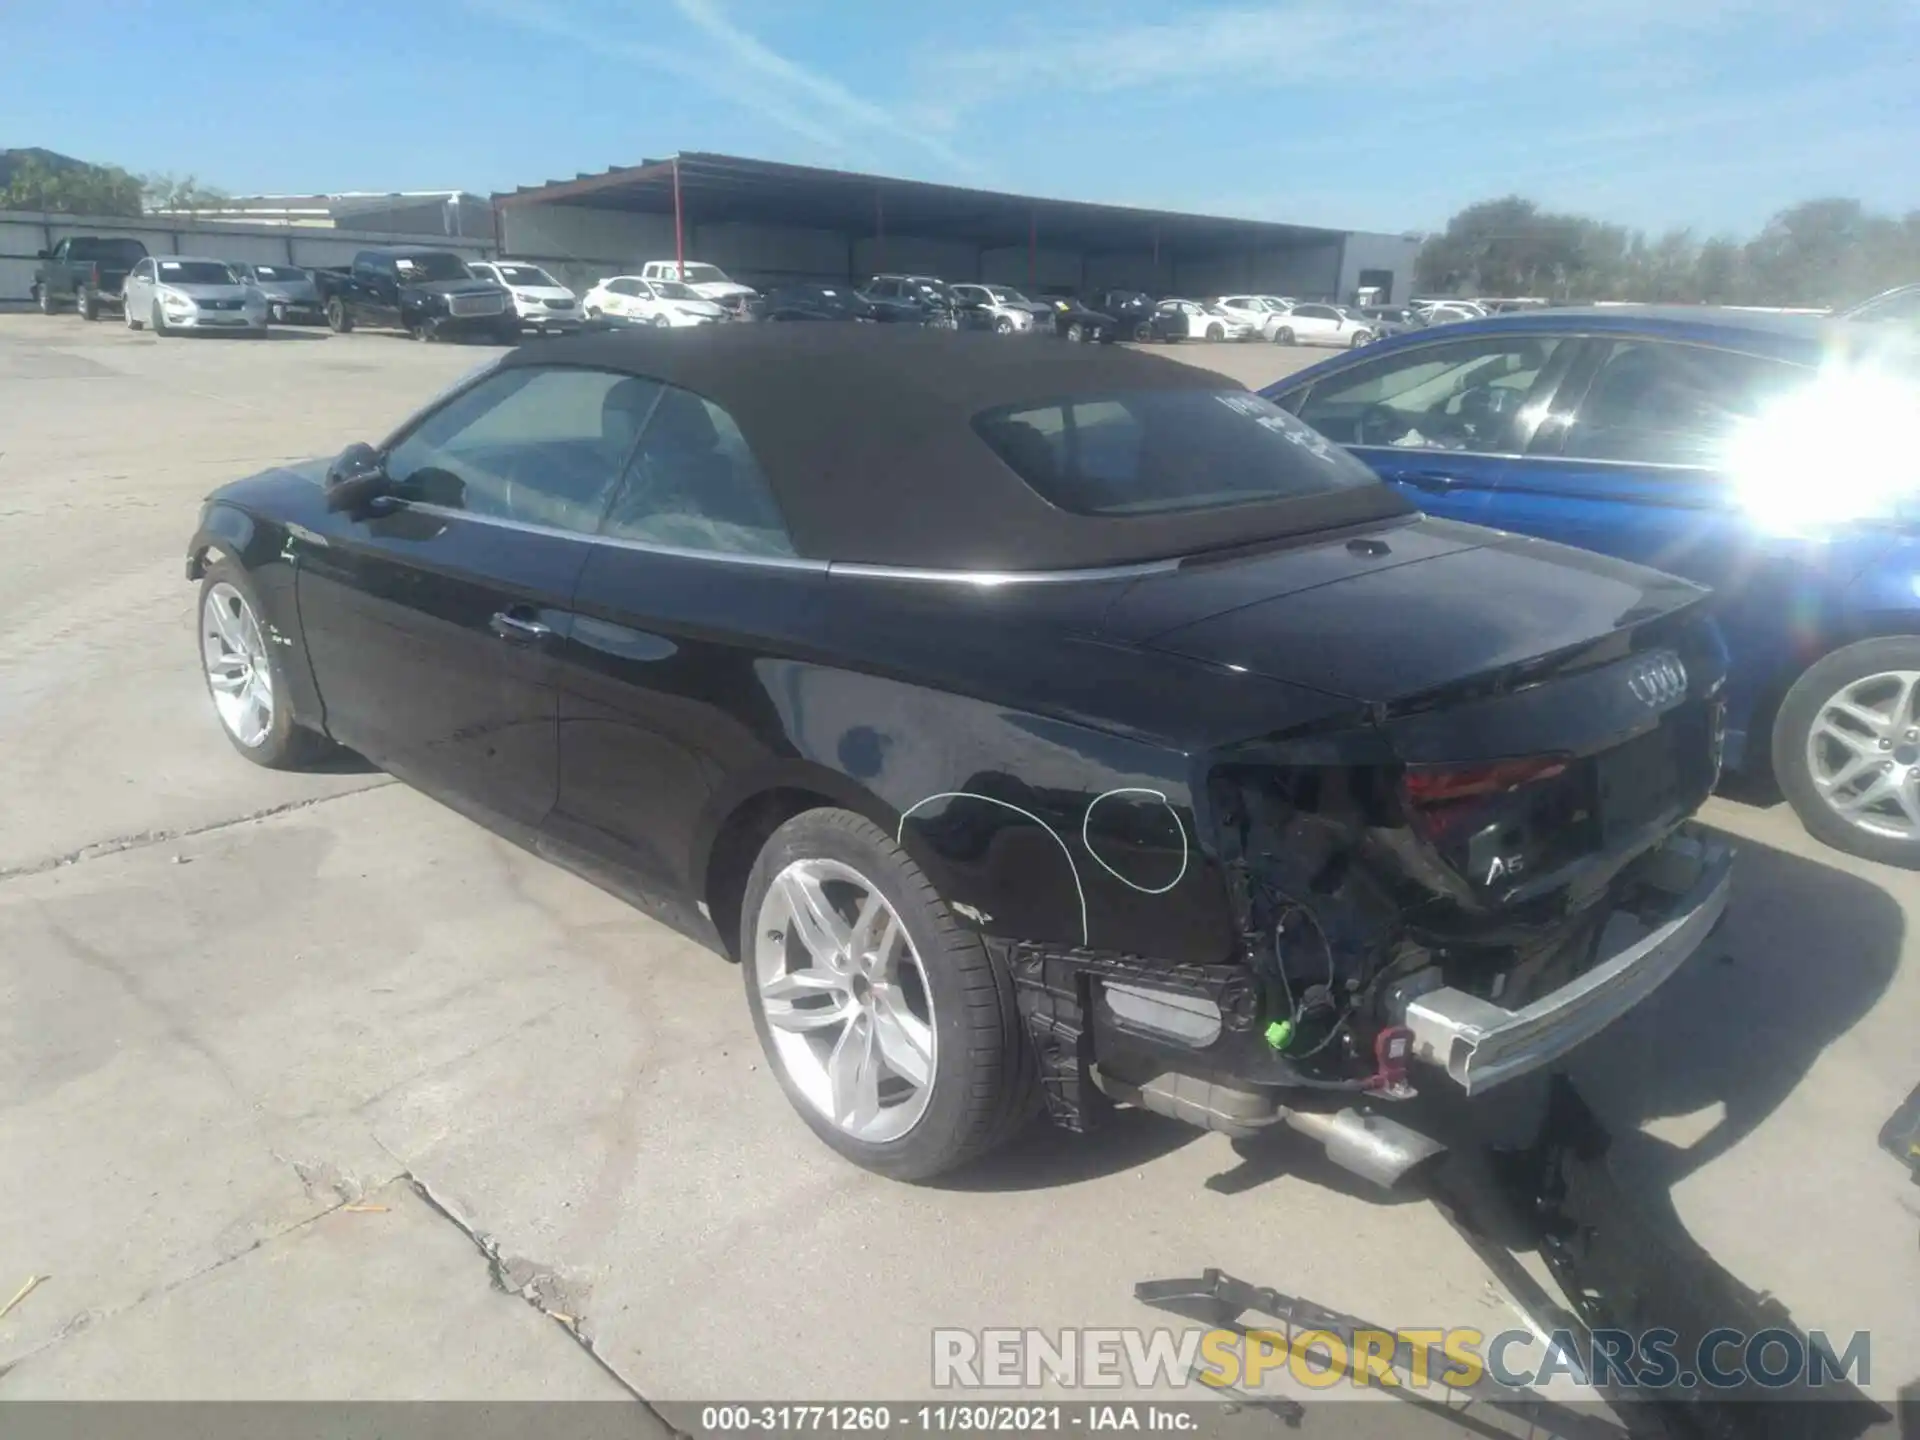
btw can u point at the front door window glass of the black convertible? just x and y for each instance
(533, 444)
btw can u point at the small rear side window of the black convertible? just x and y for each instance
(694, 485)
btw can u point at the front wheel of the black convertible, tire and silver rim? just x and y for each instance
(247, 679)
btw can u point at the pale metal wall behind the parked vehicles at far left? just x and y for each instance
(26, 233)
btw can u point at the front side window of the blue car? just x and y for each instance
(1451, 396)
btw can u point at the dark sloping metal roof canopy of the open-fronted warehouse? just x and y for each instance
(721, 189)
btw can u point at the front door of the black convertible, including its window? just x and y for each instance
(433, 617)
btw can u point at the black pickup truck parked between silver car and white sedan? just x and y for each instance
(421, 291)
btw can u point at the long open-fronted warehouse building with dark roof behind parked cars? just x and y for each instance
(767, 224)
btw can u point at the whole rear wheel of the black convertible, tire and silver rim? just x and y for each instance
(892, 1030)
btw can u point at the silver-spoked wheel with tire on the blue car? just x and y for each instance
(1846, 750)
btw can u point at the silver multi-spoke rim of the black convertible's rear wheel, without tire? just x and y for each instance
(846, 999)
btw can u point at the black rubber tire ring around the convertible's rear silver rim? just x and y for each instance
(949, 1132)
